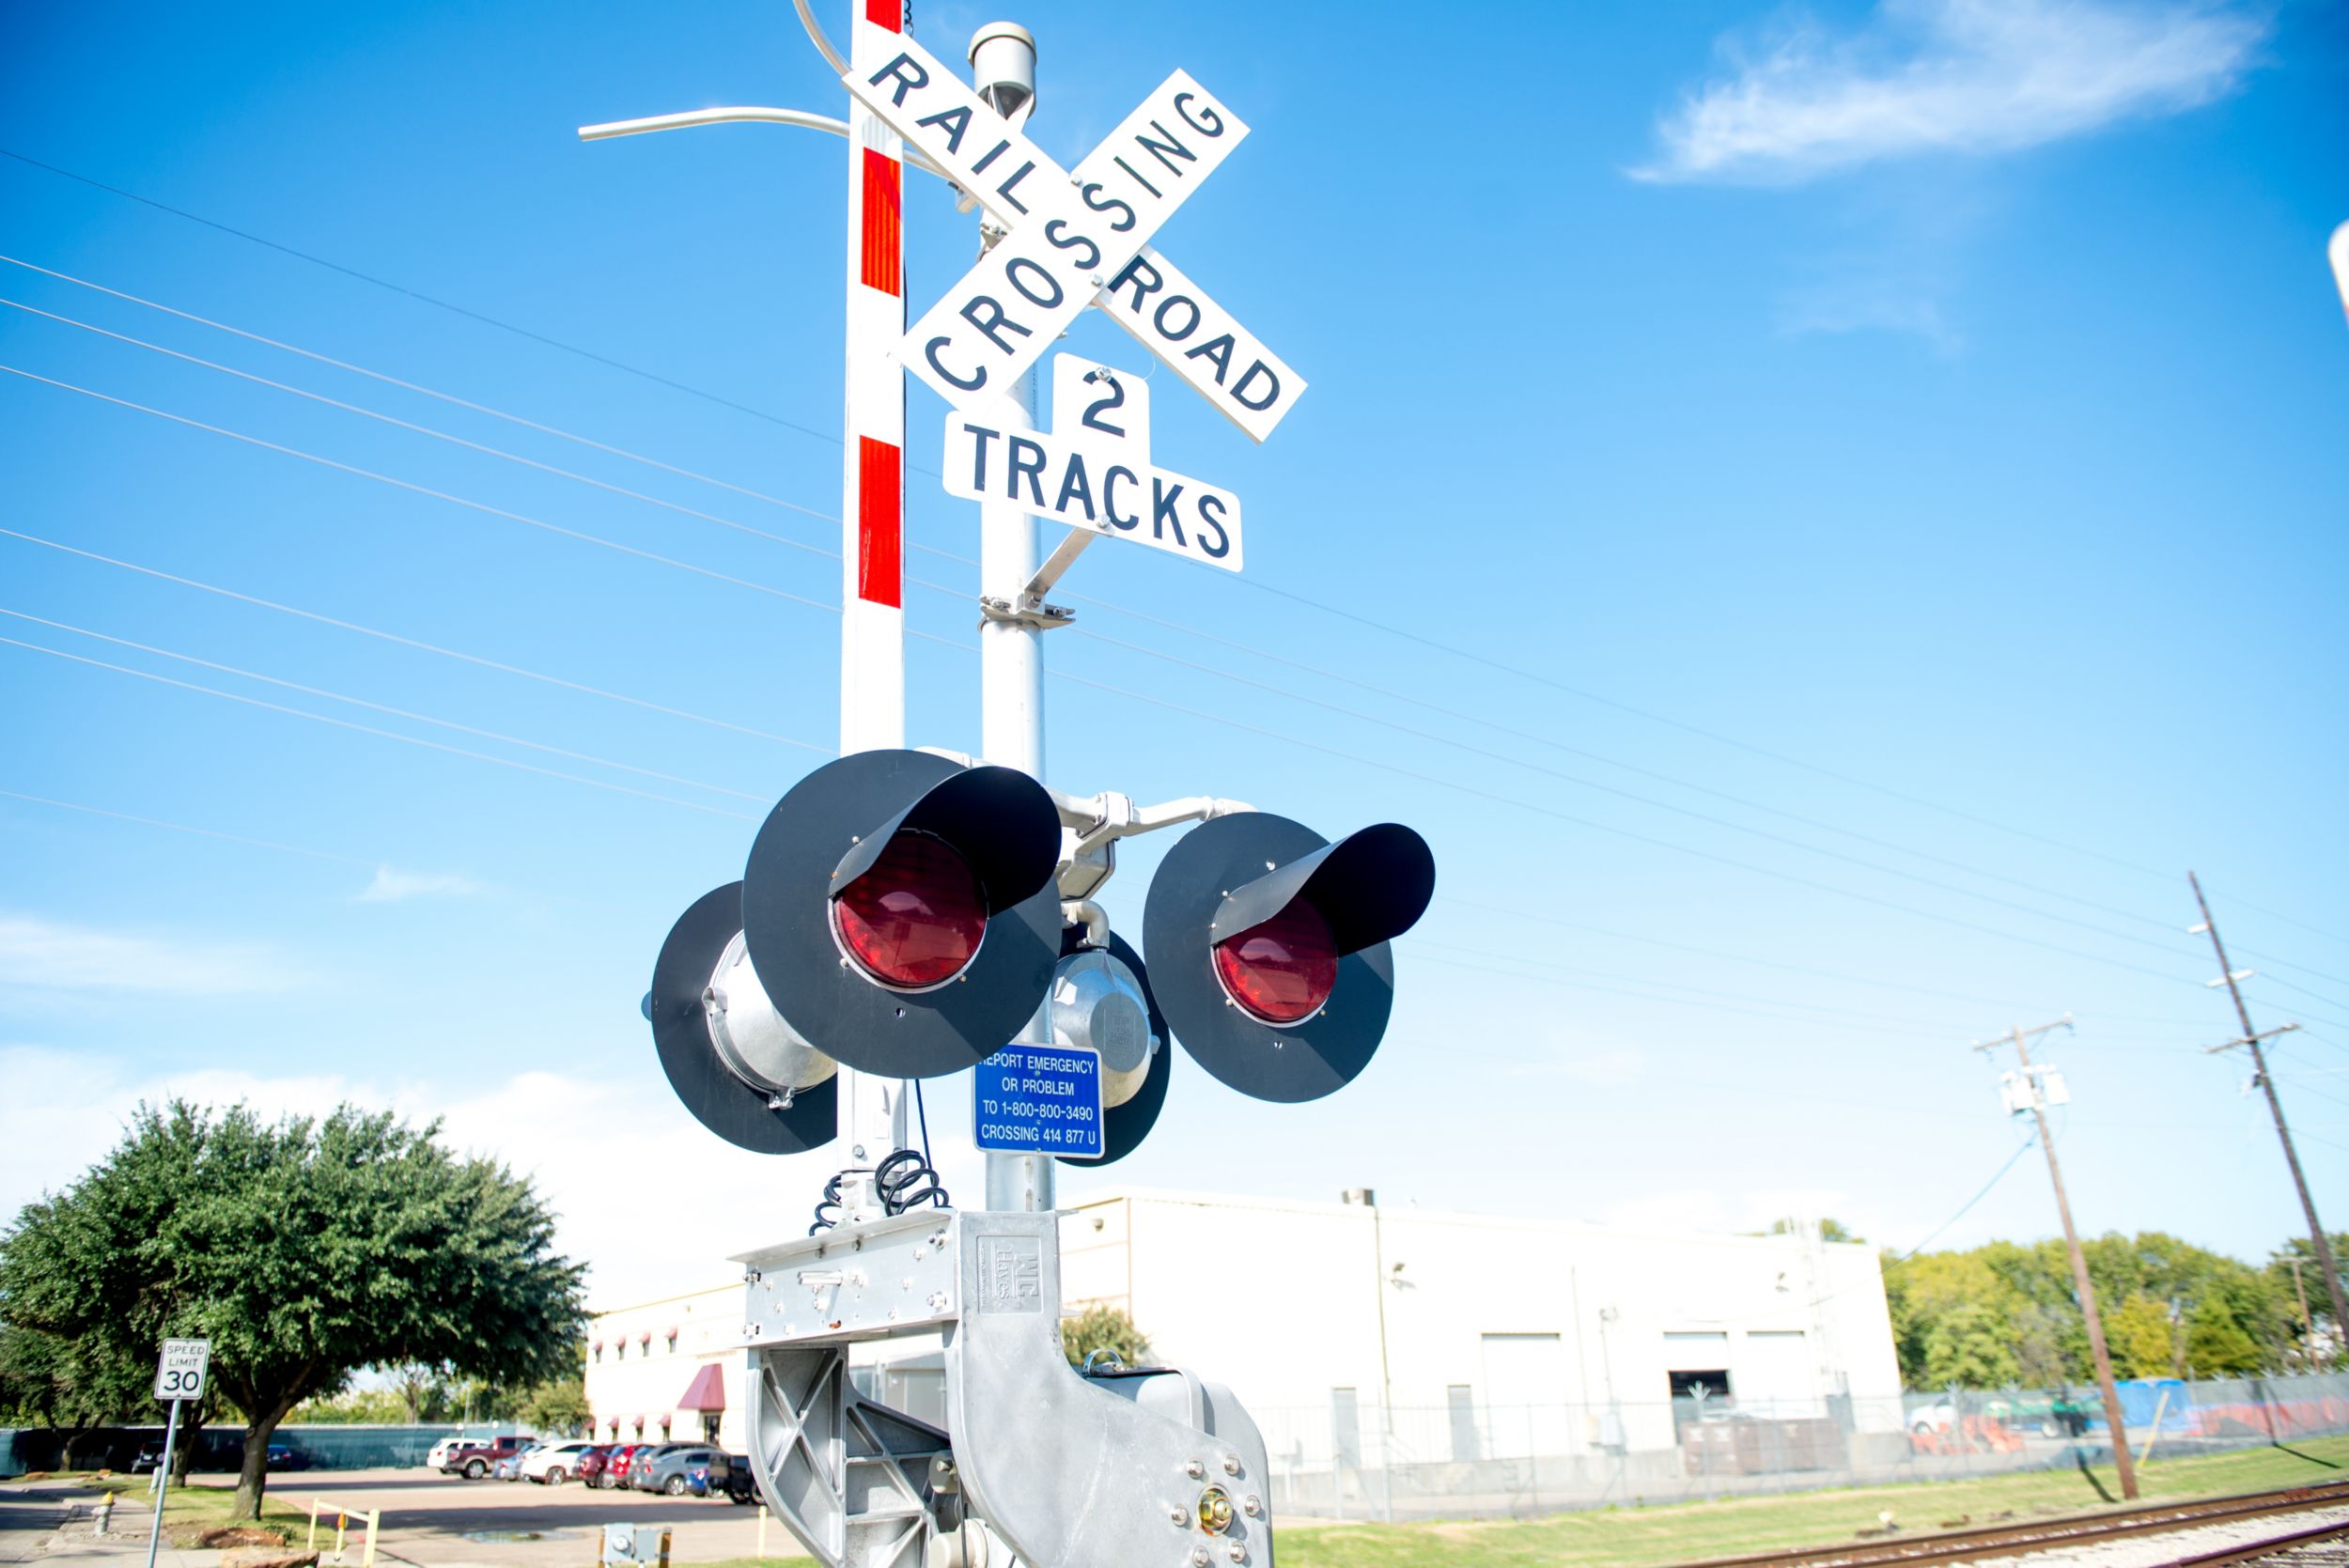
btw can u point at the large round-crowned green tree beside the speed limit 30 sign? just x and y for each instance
(302, 1250)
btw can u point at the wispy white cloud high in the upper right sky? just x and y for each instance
(1951, 76)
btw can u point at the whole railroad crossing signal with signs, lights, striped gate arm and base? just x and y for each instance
(915, 914)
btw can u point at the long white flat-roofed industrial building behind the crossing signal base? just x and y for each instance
(1392, 1351)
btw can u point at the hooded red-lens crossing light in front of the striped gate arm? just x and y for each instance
(903, 910)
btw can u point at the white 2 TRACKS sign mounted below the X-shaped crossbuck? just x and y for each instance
(1093, 471)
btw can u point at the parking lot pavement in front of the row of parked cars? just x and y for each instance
(440, 1522)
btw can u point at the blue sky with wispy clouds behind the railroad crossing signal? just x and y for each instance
(1819, 515)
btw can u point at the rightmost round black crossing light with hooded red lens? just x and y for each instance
(1270, 947)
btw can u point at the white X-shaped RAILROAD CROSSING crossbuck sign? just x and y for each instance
(1075, 241)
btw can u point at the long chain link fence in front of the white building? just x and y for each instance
(1481, 1461)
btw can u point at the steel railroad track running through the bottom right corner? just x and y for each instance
(2089, 1529)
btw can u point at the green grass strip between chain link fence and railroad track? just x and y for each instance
(1638, 1539)
